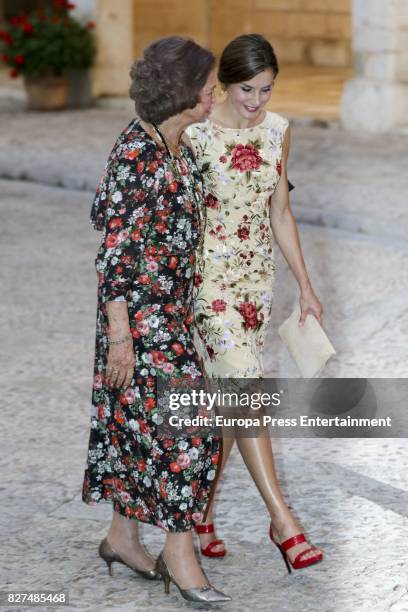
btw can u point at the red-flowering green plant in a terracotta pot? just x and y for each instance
(44, 47)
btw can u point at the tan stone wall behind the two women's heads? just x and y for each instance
(303, 31)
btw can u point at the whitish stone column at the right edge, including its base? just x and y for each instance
(376, 99)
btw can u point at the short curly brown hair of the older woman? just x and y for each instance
(169, 77)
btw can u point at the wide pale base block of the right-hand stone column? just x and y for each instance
(373, 106)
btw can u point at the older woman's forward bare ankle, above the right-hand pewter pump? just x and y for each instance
(182, 562)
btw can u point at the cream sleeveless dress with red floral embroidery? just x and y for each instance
(233, 284)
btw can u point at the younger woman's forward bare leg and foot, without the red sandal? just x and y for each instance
(258, 457)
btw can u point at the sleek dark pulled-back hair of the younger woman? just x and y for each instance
(245, 57)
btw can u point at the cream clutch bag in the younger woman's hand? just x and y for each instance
(309, 346)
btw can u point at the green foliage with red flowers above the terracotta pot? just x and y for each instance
(47, 42)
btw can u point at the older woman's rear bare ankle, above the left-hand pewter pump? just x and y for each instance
(123, 536)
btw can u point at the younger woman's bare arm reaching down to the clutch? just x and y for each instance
(287, 237)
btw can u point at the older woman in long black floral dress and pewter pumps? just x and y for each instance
(148, 205)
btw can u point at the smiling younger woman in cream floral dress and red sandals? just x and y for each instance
(242, 153)
